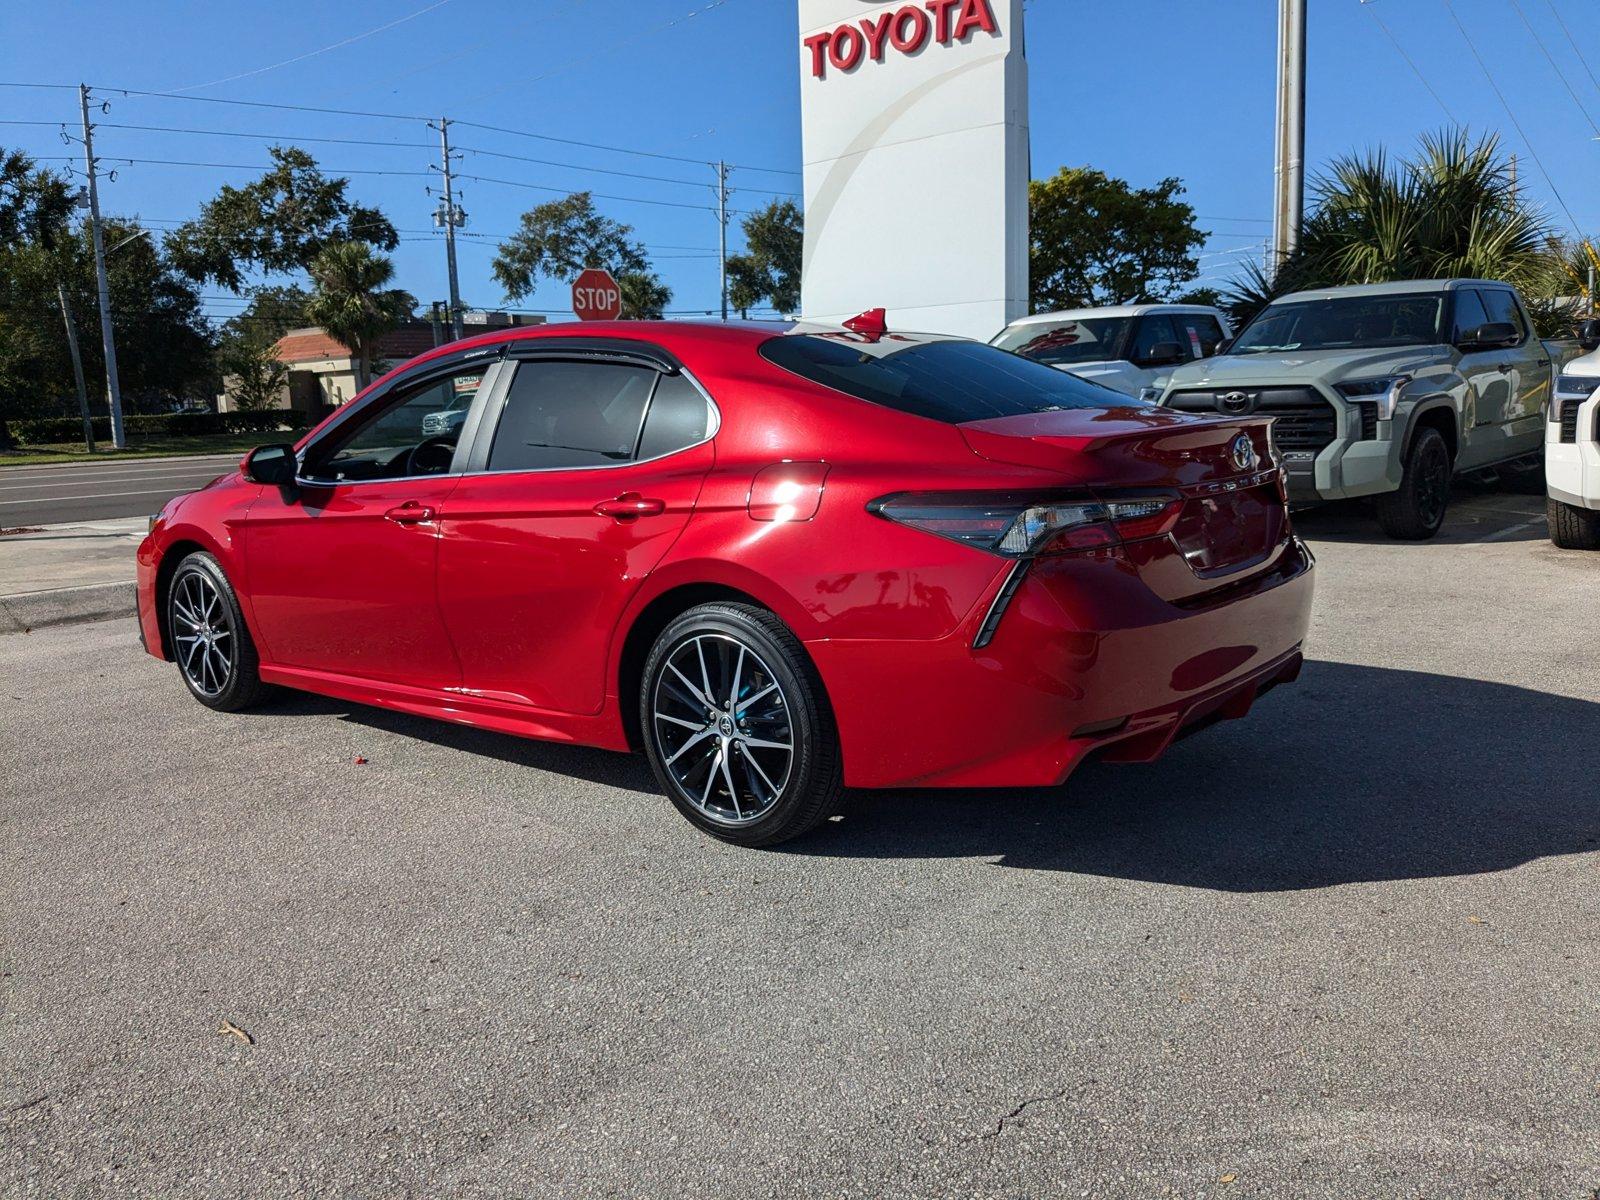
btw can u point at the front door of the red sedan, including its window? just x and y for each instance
(342, 569)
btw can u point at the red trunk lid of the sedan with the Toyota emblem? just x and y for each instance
(1233, 522)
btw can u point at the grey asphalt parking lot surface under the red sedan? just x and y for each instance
(1345, 948)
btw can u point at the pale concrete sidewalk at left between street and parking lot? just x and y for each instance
(65, 574)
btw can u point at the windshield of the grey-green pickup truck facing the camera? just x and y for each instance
(1343, 324)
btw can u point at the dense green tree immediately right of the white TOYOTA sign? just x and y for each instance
(1097, 241)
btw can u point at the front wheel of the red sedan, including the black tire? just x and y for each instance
(210, 641)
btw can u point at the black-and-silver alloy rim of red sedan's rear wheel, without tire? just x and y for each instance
(724, 727)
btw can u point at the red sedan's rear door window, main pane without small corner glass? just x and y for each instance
(572, 415)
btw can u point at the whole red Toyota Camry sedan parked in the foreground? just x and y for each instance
(780, 561)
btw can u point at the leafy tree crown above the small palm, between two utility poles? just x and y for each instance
(278, 225)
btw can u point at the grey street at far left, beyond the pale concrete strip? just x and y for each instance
(52, 495)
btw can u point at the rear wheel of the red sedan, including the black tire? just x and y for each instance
(726, 686)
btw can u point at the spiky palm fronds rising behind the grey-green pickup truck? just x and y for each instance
(1452, 210)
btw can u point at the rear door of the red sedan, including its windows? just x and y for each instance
(582, 482)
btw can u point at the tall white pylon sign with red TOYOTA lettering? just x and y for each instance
(916, 162)
